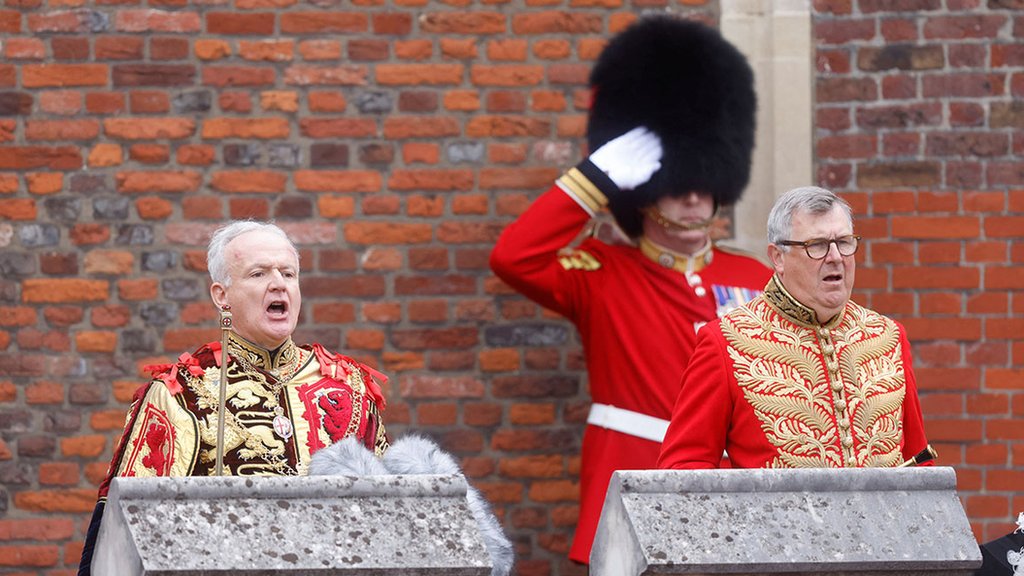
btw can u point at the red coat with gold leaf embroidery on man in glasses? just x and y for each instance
(776, 389)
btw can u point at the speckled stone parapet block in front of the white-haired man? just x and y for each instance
(379, 526)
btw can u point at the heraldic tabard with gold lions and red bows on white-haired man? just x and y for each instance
(282, 406)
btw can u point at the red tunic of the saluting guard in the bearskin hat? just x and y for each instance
(636, 319)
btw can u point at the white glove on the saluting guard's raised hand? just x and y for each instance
(631, 159)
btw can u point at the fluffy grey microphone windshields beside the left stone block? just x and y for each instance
(414, 455)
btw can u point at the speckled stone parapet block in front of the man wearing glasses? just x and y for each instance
(867, 522)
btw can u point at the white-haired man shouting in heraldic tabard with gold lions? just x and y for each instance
(284, 402)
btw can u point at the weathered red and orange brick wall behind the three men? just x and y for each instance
(395, 141)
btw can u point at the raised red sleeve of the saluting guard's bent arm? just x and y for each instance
(527, 254)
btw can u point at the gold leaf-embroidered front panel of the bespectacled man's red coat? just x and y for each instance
(826, 396)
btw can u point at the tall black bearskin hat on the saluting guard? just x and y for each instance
(693, 89)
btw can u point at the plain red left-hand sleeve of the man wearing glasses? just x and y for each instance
(702, 417)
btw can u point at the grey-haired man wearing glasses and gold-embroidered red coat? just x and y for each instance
(800, 377)
